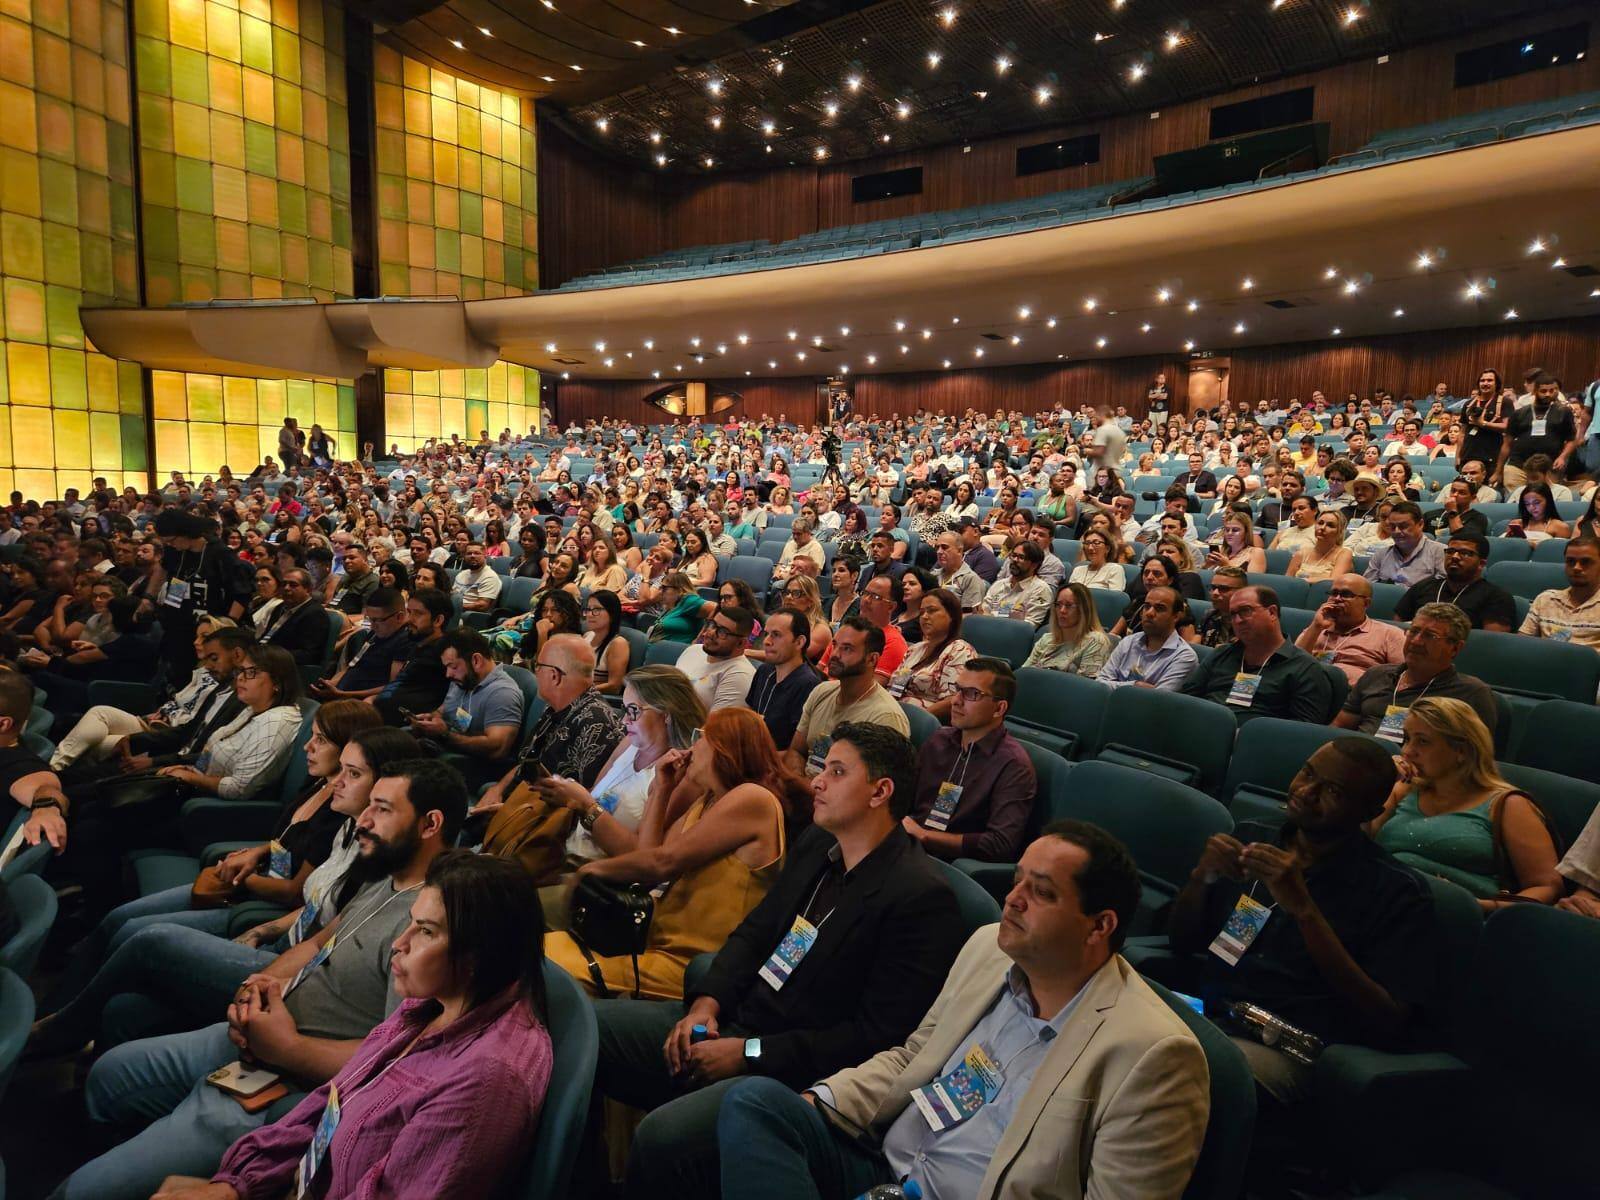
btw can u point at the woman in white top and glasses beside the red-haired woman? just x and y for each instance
(660, 714)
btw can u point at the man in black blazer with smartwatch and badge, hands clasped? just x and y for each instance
(839, 962)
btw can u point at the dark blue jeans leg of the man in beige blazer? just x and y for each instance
(775, 1146)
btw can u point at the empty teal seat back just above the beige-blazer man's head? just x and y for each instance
(1164, 825)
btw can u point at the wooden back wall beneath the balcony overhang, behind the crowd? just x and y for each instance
(1402, 364)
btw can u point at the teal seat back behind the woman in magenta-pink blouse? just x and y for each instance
(575, 1038)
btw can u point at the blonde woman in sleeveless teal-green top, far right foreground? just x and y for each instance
(1455, 817)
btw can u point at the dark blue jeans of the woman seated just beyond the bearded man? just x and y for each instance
(188, 974)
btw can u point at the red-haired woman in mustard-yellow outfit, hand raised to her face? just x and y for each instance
(716, 828)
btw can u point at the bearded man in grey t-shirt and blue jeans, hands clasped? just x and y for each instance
(300, 1018)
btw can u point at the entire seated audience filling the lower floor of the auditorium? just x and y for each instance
(460, 703)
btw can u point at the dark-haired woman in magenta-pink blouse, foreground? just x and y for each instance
(442, 1100)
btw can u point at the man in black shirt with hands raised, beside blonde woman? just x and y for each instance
(1318, 924)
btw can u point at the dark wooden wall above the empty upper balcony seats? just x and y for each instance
(594, 214)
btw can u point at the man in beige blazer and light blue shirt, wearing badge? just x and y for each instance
(1090, 1086)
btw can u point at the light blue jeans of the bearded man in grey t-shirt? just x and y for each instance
(161, 1081)
